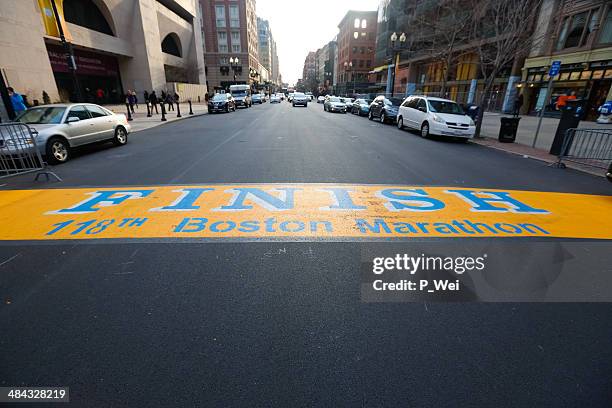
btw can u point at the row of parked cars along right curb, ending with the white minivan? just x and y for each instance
(429, 115)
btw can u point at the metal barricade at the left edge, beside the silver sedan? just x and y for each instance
(19, 153)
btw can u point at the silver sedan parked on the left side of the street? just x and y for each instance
(62, 127)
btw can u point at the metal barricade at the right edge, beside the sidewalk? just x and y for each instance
(591, 147)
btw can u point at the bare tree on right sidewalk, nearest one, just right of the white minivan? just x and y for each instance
(502, 31)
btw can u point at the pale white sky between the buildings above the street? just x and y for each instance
(301, 26)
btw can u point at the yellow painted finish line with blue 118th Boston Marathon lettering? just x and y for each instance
(299, 210)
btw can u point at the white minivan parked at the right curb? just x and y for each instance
(435, 116)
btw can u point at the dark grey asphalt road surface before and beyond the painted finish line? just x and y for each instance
(187, 323)
